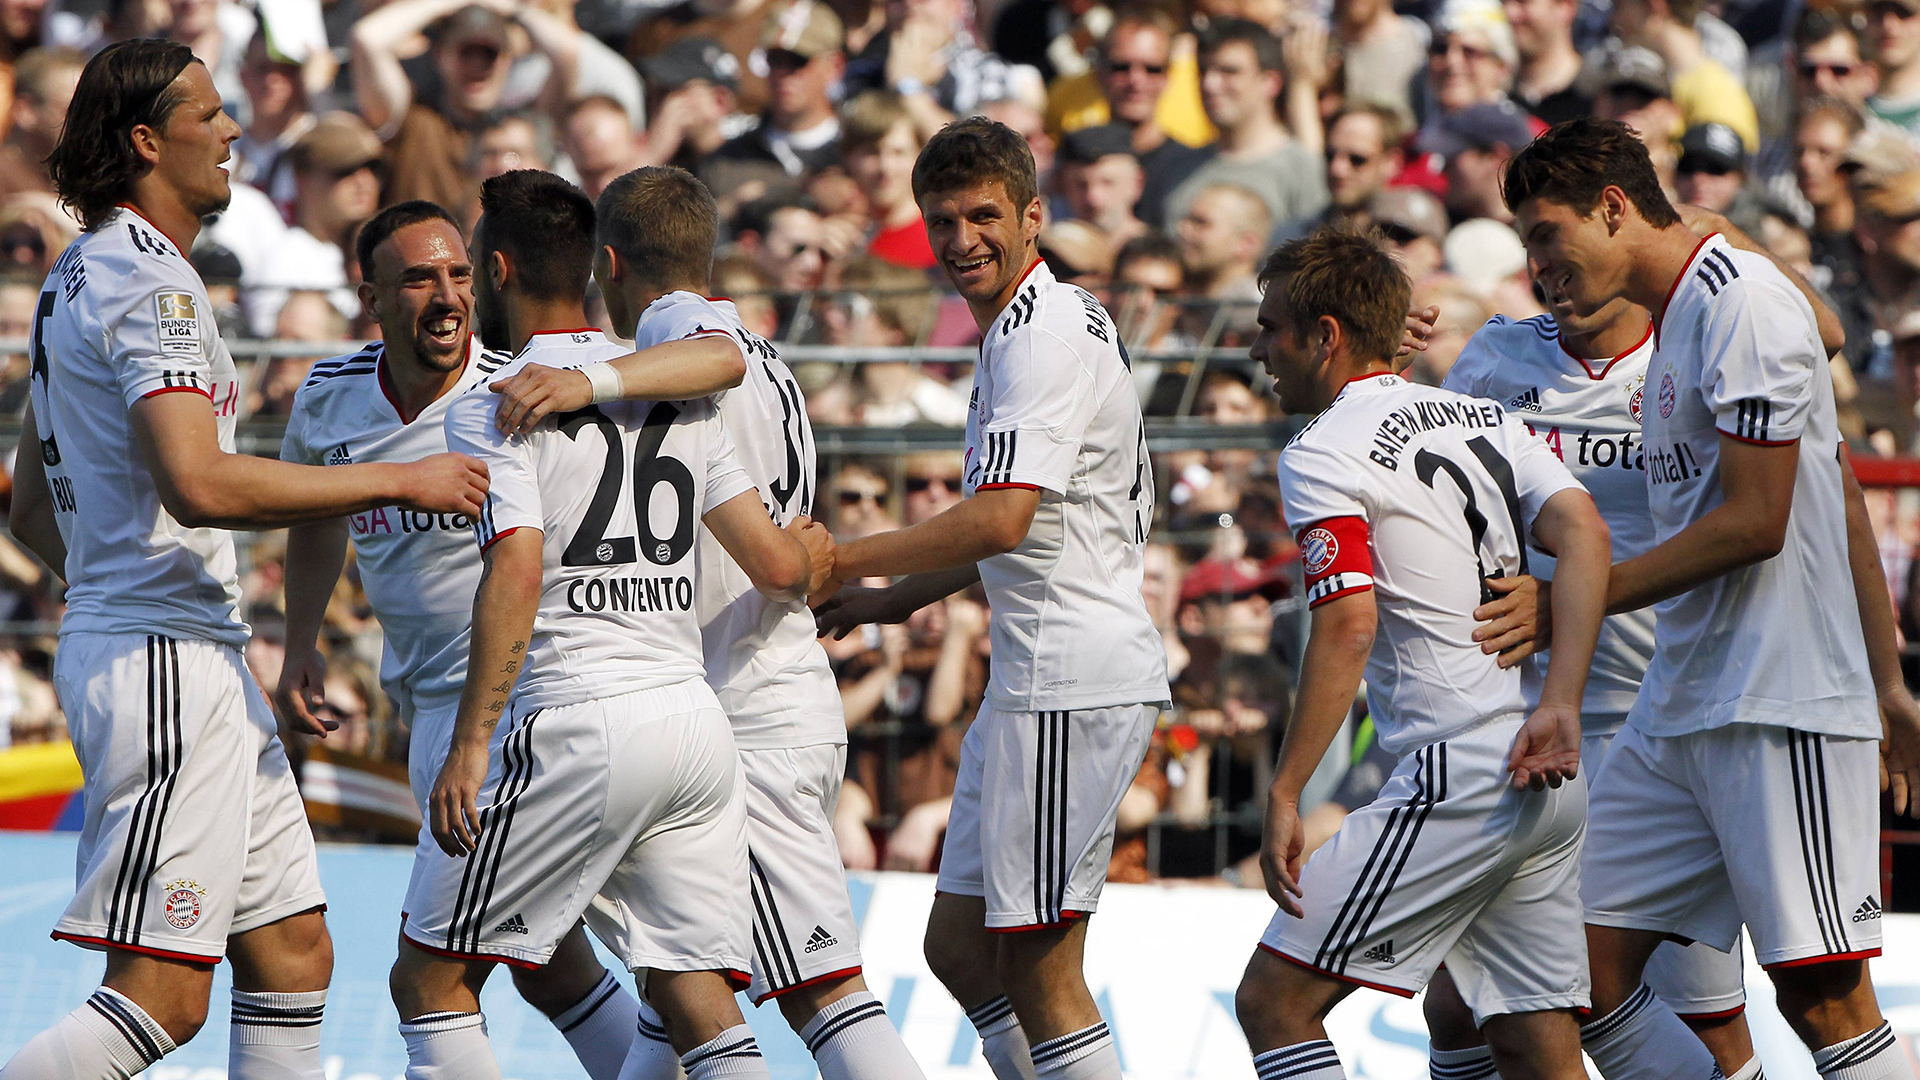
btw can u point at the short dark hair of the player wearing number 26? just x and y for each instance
(544, 226)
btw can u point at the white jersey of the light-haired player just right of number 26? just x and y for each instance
(763, 658)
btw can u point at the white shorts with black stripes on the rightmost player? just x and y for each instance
(1752, 825)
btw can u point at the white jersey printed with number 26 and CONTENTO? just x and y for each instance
(619, 493)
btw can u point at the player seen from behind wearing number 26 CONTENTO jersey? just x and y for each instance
(615, 773)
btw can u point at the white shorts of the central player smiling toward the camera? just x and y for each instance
(1032, 823)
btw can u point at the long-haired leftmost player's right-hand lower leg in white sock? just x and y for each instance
(281, 975)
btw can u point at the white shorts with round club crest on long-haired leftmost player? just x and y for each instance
(195, 829)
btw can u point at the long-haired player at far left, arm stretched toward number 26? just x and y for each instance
(195, 845)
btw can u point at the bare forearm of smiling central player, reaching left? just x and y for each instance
(978, 528)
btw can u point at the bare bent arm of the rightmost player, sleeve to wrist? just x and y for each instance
(1748, 528)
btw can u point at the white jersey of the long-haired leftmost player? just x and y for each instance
(124, 318)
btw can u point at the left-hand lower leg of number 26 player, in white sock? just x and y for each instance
(439, 1002)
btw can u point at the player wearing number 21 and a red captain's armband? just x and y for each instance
(1406, 501)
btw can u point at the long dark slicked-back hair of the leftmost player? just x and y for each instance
(124, 87)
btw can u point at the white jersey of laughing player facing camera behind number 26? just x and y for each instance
(420, 570)
